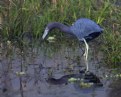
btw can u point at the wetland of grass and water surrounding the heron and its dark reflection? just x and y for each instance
(26, 63)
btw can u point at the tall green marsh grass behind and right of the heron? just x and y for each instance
(21, 16)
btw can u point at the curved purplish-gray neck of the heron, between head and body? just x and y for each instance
(59, 26)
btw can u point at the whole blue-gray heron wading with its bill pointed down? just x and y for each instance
(83, 29)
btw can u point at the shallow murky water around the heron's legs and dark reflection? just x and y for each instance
(23, 73)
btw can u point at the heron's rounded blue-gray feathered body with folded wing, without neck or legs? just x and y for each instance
(86, 28)
